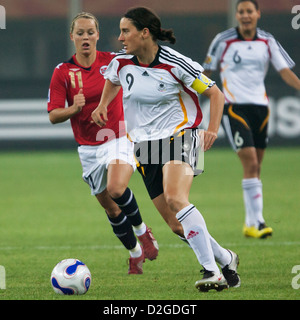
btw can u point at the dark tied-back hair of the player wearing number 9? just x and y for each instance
(142, 17)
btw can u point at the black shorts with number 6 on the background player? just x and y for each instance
(246, 125)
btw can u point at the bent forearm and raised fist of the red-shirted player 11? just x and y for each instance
(59, 115)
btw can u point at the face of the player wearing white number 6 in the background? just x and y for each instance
(247, 17)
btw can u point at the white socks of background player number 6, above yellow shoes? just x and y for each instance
(253, 200)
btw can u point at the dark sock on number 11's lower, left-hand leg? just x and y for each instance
(123, 230)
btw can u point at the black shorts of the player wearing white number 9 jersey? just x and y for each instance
(151, 156)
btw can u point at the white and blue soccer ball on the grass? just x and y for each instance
(71, 276)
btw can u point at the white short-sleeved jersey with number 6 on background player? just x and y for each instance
(244, 63)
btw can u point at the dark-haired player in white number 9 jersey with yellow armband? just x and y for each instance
(162, 114)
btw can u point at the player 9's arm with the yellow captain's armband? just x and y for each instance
(208, 88)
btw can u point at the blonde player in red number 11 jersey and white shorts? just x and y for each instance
(106, 154)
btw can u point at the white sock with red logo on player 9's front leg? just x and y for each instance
(196, 233)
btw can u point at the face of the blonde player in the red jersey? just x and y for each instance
(85, 36)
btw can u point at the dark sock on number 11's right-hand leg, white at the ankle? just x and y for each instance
(128, 205)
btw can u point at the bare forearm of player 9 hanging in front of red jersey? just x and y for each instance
(110, 91)
